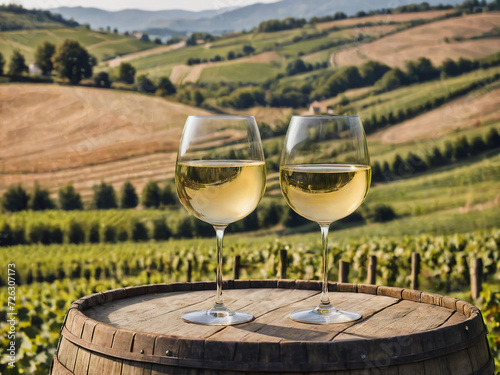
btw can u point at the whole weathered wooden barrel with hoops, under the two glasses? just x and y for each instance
(139, 330)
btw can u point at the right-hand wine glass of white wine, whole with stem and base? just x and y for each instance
(325, 175)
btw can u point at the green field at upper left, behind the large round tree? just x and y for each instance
(102, 45)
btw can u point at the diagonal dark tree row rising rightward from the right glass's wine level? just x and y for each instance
(459, 150)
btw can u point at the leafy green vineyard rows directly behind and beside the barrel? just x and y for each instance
(47, 287)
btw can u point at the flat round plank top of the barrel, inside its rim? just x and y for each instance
(385, 314)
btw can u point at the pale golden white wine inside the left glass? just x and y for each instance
(220, 191)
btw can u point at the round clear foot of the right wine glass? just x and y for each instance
(324, 314)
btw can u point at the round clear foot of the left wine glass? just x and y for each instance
(217, 316)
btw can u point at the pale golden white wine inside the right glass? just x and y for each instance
(324, 192)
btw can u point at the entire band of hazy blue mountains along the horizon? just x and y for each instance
(226, 19)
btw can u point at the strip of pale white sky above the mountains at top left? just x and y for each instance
(193, 5)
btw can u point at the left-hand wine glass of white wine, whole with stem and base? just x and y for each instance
(220, 176)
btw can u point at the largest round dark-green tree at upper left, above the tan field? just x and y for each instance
(72, 61)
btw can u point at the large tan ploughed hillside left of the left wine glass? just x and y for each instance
(56, 134)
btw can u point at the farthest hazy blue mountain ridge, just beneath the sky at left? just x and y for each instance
(131, 19)
